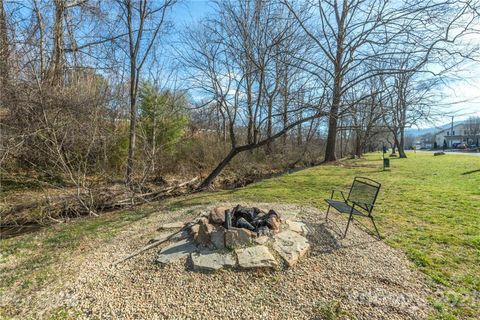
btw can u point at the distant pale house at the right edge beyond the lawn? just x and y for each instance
(460, 132)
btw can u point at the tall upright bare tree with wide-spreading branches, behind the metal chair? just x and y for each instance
(351, 35)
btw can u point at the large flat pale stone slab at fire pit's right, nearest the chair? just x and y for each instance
(290, 246)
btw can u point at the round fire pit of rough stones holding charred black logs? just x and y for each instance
(252, 233)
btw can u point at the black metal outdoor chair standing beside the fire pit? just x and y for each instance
(359, 202)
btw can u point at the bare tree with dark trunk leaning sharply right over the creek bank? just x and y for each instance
(243, 77)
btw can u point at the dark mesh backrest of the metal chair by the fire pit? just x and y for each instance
(364, 192)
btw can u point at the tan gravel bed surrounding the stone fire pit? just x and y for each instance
(364, 277)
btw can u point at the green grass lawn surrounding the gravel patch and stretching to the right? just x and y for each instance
(428, 207)
